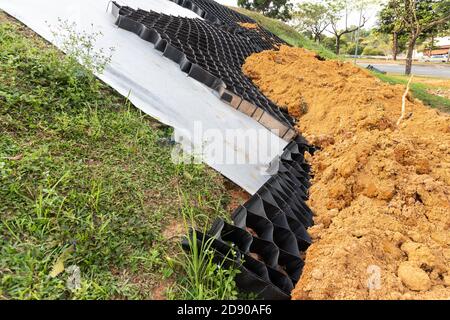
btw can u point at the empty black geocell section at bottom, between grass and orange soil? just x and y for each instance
(269, 232)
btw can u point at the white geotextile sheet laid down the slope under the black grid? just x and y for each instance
(157, 86)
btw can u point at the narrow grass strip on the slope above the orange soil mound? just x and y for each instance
(287, 33)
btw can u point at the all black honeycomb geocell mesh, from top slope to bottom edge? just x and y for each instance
(269, 232)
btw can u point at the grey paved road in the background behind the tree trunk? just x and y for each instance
(438, 71)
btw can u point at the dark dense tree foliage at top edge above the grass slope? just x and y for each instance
(278, 9)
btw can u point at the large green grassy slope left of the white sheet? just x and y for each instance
(87, 180)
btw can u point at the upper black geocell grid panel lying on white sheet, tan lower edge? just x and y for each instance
(210, 55)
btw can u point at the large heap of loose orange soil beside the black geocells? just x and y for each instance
(380, 194)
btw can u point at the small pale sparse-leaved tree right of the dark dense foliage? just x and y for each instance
(312, 18)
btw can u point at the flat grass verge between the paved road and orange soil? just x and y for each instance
(419, 91)
